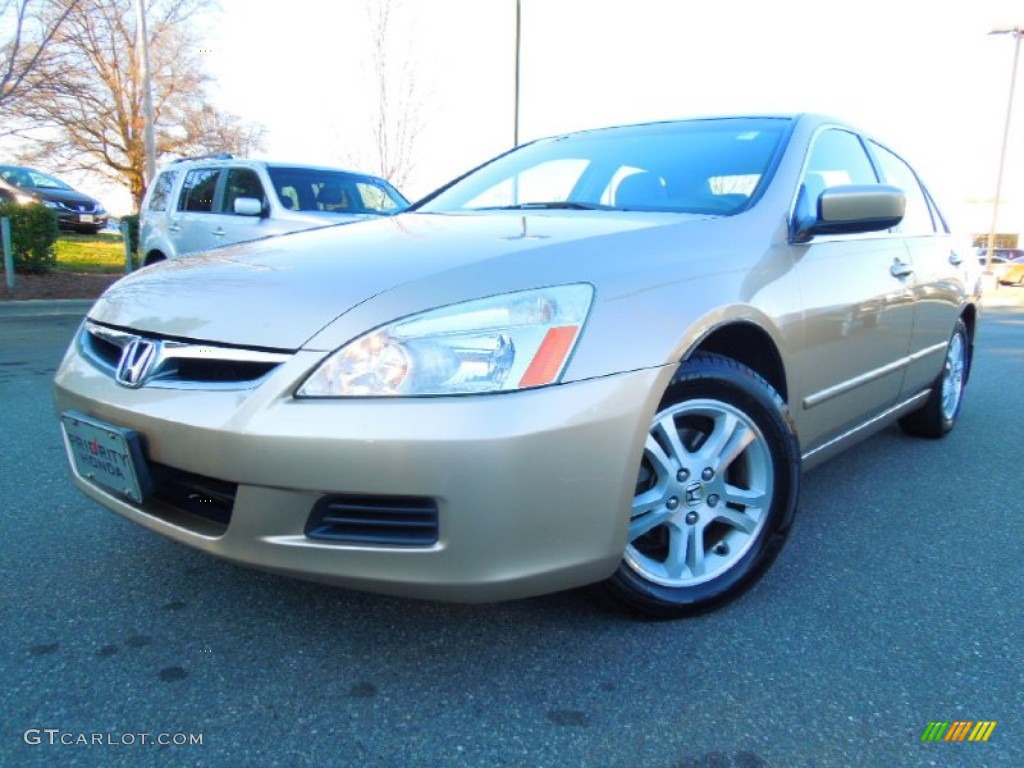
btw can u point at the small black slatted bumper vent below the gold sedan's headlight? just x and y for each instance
(383, 521)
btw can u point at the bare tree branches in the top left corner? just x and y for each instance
(26, 53)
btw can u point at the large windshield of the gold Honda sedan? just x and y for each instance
(700, 166)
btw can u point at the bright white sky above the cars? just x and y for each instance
(925, 77)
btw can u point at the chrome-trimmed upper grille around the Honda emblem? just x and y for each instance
(180, 364)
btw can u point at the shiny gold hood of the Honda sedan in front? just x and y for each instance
(279, 293)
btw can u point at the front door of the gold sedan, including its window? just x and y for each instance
(858, 293)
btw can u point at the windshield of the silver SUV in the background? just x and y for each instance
(337, 192)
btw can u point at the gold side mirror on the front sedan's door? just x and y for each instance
(849, 209)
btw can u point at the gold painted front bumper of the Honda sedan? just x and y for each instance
(533, 489)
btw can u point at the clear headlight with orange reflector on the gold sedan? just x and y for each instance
(513, 342)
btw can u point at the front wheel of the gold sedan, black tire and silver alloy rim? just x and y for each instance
(730, 509)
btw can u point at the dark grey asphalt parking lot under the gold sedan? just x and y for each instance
(897, 604)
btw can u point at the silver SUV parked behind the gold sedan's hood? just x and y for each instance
(198, 204)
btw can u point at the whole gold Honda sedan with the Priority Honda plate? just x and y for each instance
(601, 359)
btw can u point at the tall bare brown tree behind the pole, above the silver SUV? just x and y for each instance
(90, 111)
